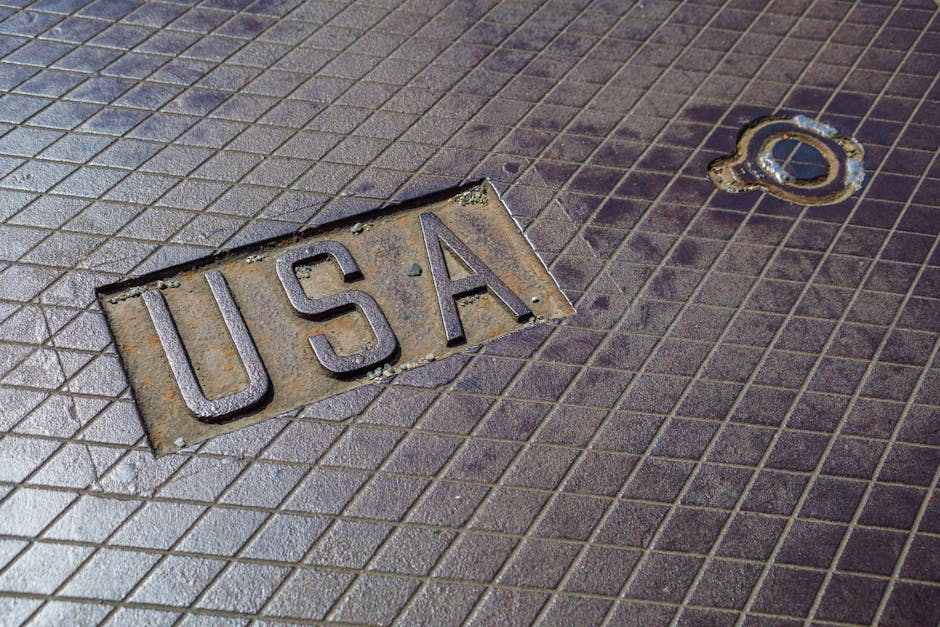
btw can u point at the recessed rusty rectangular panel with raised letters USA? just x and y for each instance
(223, 343)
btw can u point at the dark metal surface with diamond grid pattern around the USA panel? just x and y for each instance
(739, 426)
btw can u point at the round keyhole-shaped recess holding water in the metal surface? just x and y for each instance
(796, 159)
